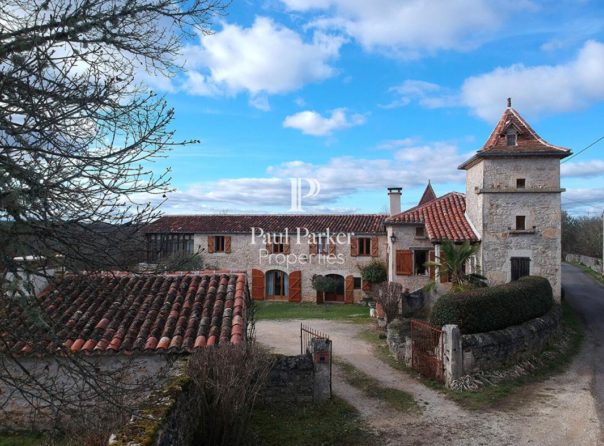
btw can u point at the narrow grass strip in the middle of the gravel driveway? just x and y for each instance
(395, 398)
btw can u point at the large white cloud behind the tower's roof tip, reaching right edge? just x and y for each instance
(539, 89)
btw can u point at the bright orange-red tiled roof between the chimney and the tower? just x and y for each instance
(443, 217)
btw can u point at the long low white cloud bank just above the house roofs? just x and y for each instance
(409, 166)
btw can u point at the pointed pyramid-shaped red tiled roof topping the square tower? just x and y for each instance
(528, 142)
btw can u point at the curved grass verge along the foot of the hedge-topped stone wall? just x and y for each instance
(553, 360)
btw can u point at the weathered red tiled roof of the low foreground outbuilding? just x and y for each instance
(132, 313)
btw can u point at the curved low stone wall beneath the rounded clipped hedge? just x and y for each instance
(495, 349)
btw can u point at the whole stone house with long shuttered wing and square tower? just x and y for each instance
(511, 208)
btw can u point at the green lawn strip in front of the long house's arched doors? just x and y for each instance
(308, 310)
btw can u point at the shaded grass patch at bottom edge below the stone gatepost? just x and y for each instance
(331, 423)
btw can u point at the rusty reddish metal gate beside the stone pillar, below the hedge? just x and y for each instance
(427, 350)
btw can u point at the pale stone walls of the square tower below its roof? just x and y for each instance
(494, 202)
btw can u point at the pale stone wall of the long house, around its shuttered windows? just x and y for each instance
(246, 256)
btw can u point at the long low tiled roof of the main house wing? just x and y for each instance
(243, 224)
